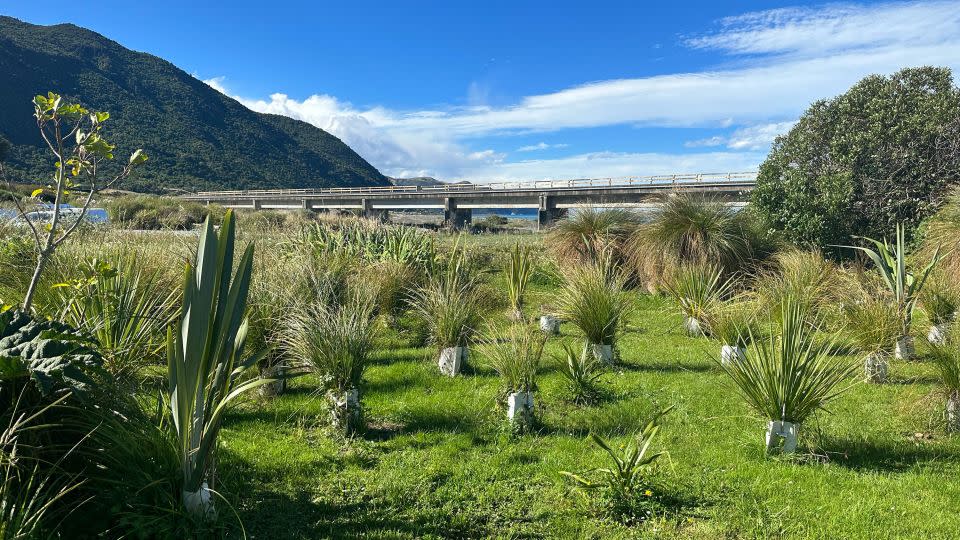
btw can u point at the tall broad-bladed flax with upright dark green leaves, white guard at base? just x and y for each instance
(205, 357)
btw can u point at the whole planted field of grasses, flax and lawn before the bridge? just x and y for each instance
(287, 375)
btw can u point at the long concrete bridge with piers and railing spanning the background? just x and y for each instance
(551, 198)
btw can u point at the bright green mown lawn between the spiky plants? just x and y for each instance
(438, 462)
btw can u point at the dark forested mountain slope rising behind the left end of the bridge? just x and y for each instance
(196, 137)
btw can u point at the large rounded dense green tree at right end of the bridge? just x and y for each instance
(858, 164)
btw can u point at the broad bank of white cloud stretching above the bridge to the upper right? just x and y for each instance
(787, 59)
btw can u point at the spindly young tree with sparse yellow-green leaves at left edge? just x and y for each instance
(73, 135)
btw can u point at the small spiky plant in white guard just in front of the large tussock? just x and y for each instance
(699, 290)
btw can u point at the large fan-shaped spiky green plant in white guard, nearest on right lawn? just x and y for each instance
(789, 376)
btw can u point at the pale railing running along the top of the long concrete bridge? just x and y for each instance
(537, 185)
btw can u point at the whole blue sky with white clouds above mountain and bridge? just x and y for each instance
(533, 90)
